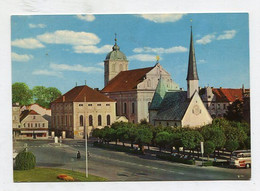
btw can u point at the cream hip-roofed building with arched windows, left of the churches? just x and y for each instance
(81, 110)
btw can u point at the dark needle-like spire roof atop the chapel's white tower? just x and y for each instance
(192, 67)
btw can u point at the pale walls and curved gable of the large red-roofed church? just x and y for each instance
(134, 103)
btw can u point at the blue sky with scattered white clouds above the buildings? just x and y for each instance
(62, 50)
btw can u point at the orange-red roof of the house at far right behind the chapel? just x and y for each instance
(227, 94)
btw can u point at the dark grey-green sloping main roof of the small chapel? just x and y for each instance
(173, 106)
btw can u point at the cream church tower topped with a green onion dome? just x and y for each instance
(114, 63)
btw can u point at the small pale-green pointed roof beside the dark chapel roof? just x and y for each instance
(158, 95)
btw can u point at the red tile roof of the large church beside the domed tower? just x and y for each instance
(126, 80)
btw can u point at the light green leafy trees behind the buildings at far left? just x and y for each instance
(41, 95)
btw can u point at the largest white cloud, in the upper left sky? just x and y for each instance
(69, 37)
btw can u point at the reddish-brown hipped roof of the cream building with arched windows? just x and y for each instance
(83, 94)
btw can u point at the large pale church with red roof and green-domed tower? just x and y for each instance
(132, 90)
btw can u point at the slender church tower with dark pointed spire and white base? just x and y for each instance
(192, 76)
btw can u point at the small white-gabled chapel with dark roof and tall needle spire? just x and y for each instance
(179, 108)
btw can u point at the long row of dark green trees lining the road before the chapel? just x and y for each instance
(220, 134)
